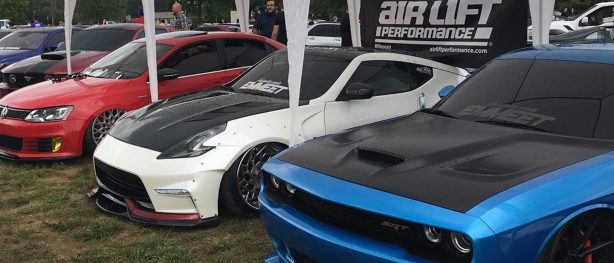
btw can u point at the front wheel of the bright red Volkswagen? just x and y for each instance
(99, 127)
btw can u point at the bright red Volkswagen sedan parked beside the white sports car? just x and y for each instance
(62, 119)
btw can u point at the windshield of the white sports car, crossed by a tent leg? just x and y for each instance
(270, 77)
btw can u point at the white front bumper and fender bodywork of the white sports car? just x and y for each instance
(201, 176)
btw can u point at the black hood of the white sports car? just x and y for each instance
(168, 122)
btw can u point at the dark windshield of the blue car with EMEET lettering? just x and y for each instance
(570, 98)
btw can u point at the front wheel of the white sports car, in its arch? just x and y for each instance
(241, 183)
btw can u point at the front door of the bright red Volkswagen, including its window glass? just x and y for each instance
(200, 66)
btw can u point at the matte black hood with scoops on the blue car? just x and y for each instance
(446, 162)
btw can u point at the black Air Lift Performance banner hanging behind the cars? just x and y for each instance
(462, 33)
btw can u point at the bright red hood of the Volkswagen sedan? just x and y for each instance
(68, 92)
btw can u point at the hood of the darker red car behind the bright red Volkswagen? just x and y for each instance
(55, 62)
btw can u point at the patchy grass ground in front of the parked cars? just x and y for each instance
(45, 216)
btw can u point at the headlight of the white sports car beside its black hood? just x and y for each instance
(194, 146)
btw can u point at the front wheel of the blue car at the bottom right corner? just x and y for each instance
(588, 238)
